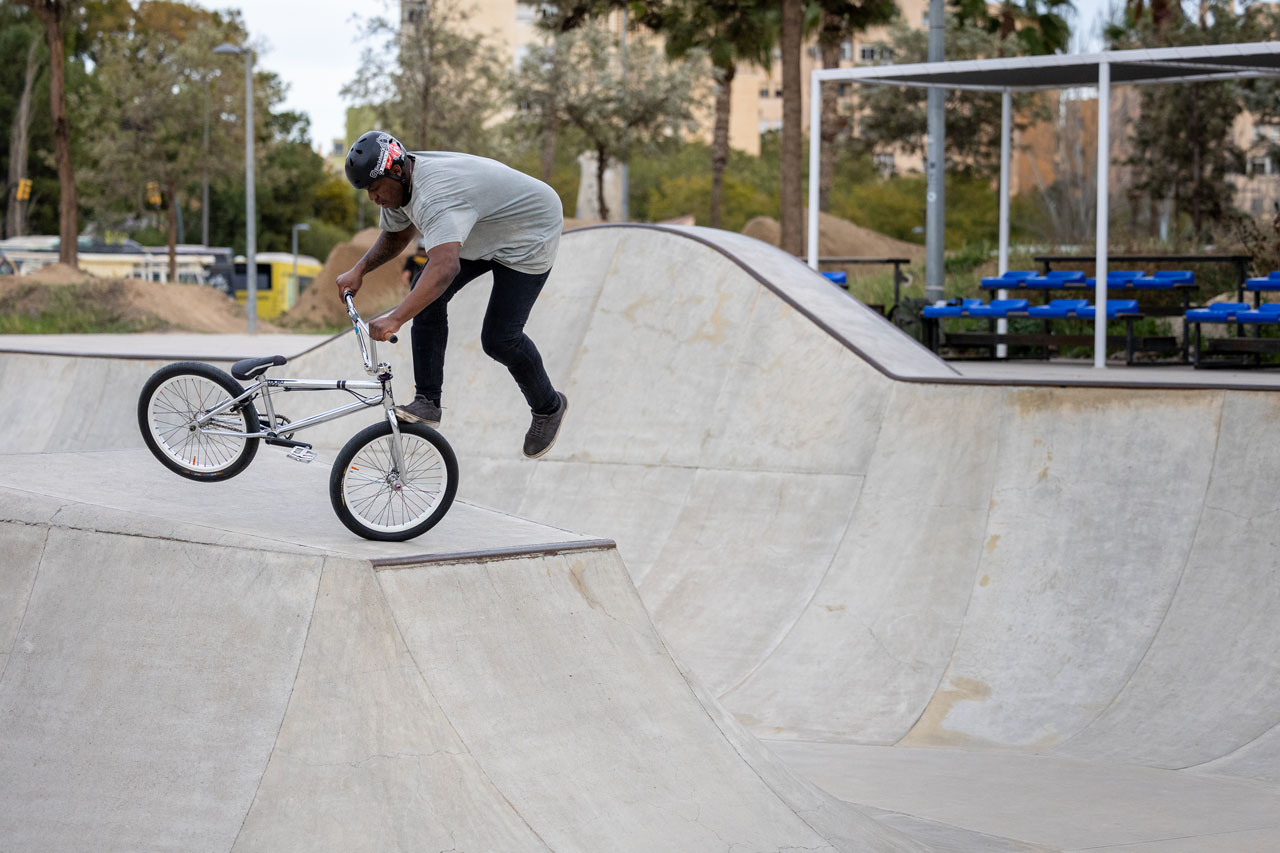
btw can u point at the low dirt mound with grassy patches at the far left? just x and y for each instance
(70, 300)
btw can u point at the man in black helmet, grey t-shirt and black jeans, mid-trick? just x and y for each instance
(477, 216)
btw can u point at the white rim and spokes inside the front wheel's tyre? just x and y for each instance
(369, 494)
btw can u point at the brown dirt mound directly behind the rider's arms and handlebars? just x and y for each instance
(319, 307)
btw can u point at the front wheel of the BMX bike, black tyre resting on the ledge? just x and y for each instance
(378, 503)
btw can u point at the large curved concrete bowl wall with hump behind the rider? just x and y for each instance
(848, 542)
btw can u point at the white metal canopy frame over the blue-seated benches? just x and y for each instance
(1028, 74)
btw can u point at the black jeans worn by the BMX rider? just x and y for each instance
(502, 335)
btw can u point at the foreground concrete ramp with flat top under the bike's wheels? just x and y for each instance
(180, 676)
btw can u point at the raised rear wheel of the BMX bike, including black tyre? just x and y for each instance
(175, 395)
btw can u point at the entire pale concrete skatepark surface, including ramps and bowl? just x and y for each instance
(858, 599)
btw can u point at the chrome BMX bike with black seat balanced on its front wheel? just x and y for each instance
(391, 482)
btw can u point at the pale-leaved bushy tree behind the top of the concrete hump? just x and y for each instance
(656, 106)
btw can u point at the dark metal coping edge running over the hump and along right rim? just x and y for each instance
(930, 381)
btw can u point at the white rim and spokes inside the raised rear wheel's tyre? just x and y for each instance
(175, 405)
